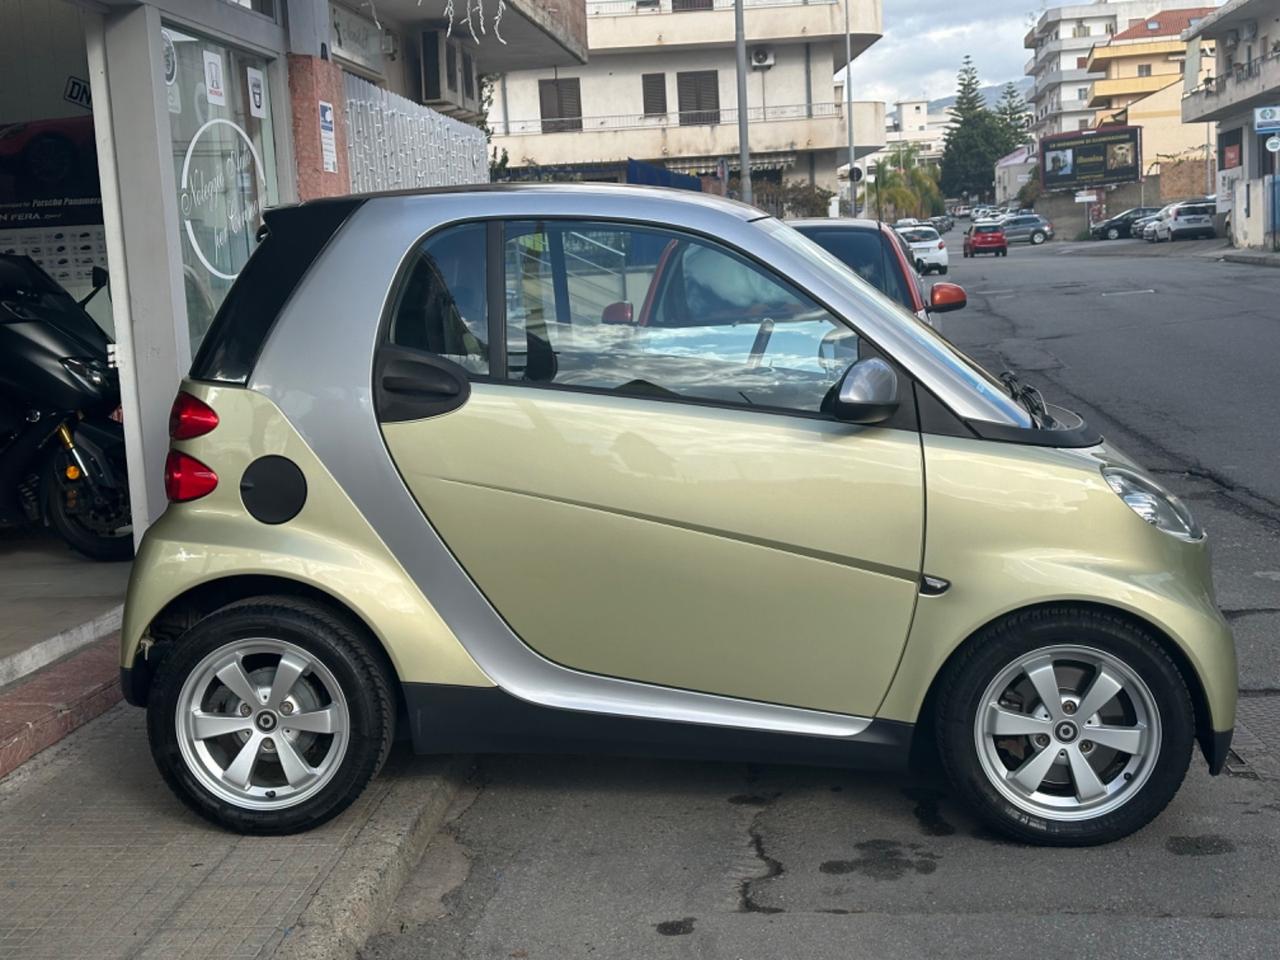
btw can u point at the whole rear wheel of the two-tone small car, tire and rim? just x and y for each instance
(271, 716)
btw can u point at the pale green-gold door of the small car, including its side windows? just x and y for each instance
(642, 479)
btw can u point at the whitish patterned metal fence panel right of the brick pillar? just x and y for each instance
(395, 144)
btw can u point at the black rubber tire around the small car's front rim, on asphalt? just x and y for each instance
(1021, 634)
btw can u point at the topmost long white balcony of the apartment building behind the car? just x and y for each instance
(621, 26)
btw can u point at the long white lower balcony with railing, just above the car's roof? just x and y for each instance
(706, 134)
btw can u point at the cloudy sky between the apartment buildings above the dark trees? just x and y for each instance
(925, 42)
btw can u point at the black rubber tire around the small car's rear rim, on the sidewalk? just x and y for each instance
(367, 684)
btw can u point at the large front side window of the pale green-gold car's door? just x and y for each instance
(652, 313)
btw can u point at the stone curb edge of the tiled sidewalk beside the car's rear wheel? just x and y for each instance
(356, 897)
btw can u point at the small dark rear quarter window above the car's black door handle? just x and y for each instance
(442, 307)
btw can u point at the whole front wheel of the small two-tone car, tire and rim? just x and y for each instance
(1066, 728)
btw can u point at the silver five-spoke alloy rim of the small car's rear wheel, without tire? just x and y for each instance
(263, 724)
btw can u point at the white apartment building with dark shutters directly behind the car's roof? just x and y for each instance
(660, 85)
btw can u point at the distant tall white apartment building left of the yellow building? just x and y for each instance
(1062, 39)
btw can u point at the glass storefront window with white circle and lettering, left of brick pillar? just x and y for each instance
(225, 164)
